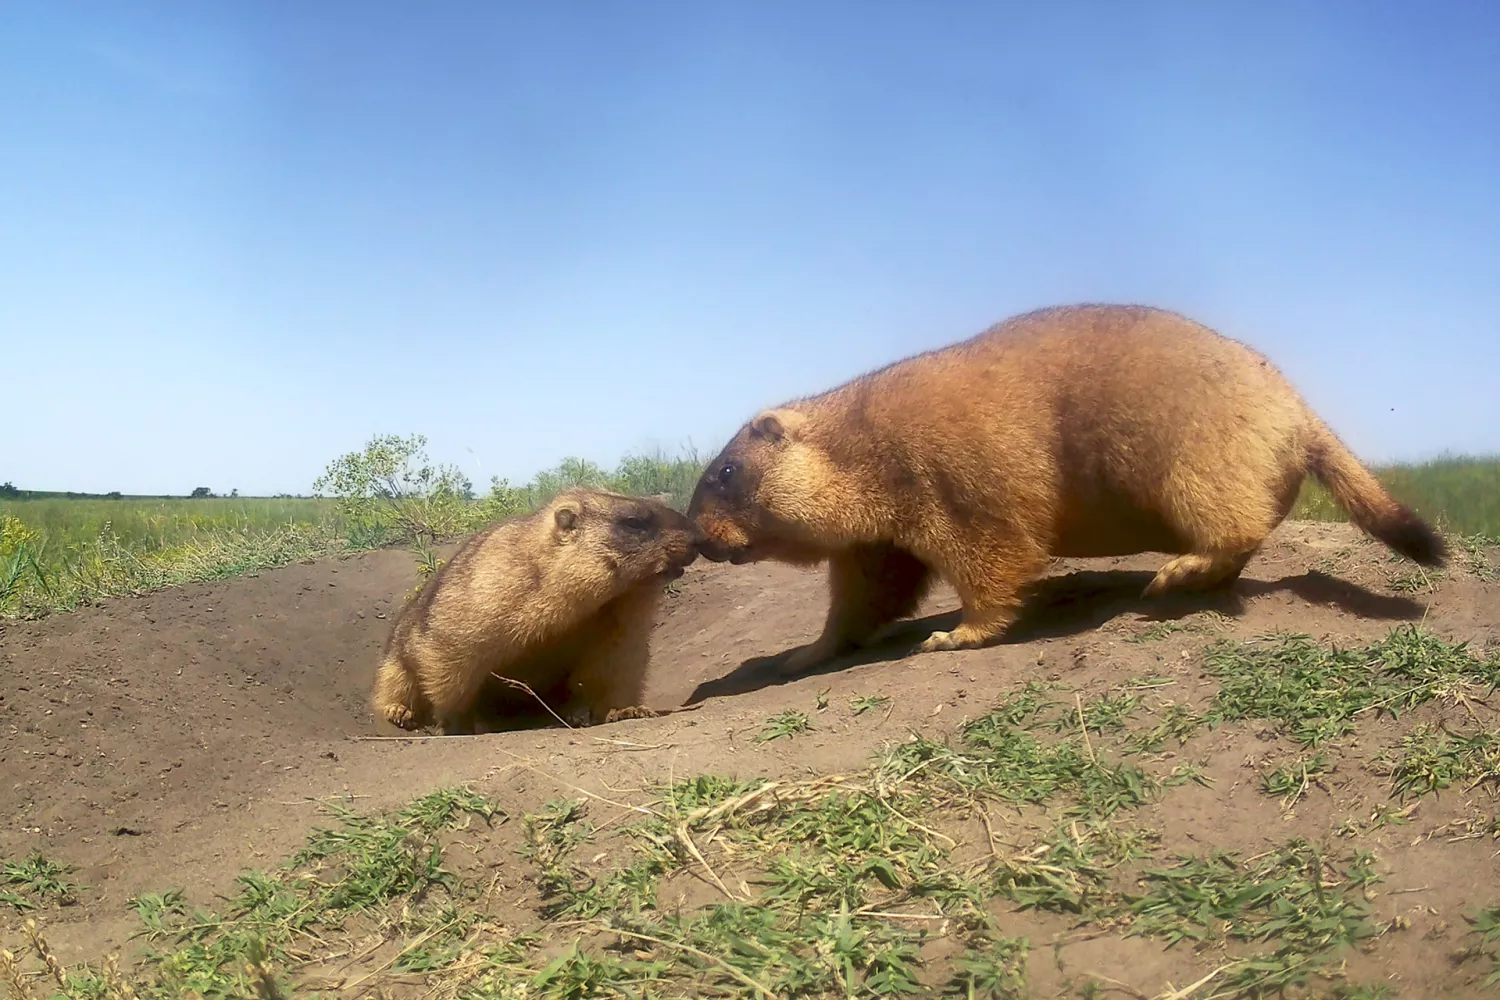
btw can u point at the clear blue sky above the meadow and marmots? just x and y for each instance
(239, 239)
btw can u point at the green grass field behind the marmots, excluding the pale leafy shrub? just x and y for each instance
(58, 554)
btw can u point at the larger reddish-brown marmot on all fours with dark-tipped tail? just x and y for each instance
(1084, 431)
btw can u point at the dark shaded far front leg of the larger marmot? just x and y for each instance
(871, 585)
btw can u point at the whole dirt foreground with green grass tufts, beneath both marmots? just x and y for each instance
(1166, 800)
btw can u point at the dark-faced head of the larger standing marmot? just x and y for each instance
(757, 500)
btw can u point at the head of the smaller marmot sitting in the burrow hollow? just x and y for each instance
(634, 537)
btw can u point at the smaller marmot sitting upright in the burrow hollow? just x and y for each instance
(560, 600)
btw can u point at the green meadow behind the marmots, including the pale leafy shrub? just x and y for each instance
(62, 551)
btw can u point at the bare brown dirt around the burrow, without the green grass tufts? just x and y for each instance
(175, 738)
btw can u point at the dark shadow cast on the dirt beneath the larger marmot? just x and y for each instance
(1072, 605)
